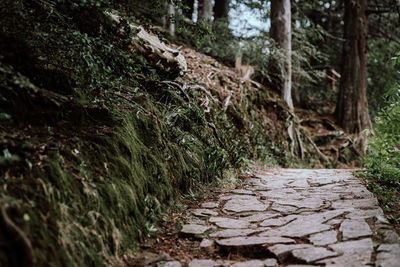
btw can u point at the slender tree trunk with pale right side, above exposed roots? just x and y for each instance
(281, 32)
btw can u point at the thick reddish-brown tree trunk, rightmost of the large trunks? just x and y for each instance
(352, 106)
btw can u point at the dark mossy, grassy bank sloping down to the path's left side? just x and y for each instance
(93, 145)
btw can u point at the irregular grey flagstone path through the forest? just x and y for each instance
(290, 217)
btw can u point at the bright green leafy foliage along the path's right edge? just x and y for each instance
(382, 162)
